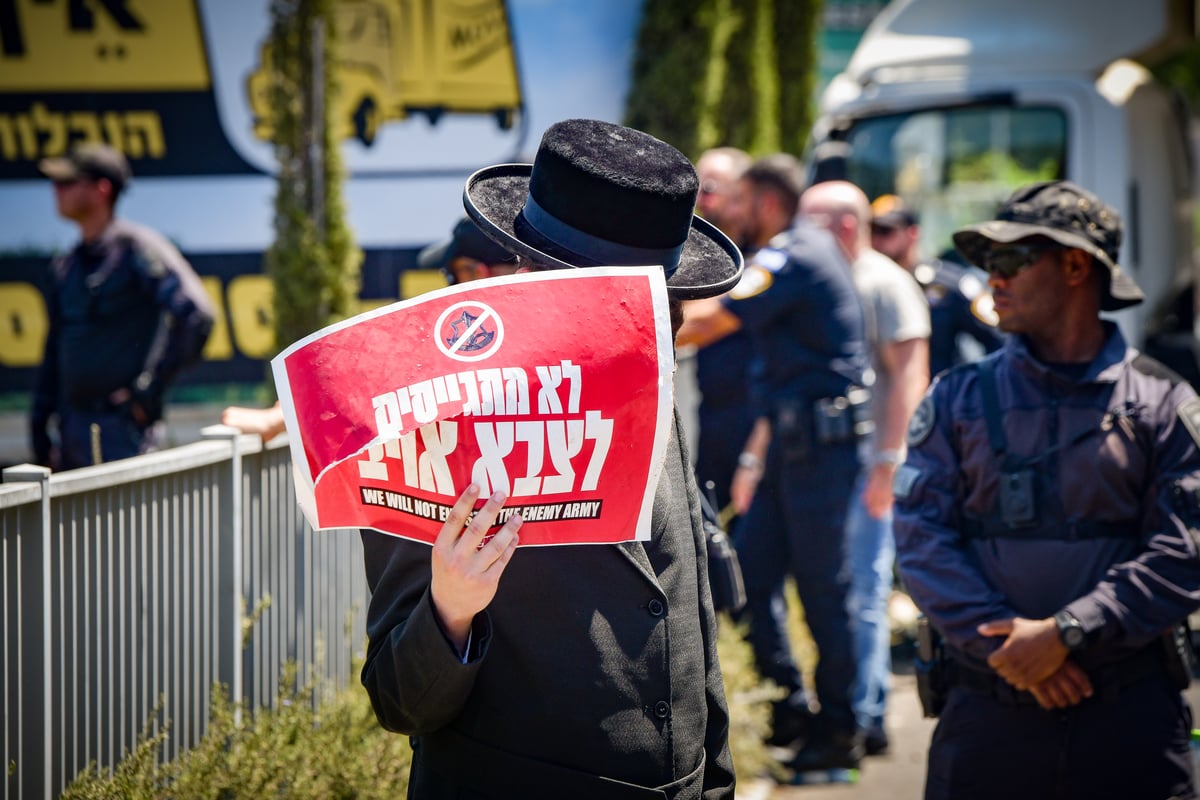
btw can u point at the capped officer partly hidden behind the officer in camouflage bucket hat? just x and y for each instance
(961, 308)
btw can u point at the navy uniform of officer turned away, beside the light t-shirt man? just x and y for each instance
(800, 305)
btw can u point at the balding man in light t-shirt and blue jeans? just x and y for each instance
(898, 330)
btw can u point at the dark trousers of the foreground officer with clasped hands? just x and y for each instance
(1131, 744)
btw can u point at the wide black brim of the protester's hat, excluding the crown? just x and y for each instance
(494, 199)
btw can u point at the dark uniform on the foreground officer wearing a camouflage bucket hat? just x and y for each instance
(1079, 497)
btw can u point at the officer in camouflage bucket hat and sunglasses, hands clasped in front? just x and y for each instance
(1047, 522)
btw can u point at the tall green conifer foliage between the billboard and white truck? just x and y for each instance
(727, 73)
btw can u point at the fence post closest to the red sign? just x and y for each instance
(230, 531)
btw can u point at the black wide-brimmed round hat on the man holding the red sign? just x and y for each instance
(602, 195)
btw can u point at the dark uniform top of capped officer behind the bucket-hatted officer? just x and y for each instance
(959, 306)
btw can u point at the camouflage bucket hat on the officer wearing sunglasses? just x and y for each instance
(1066, 214)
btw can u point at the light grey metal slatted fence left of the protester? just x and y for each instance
(151, 580)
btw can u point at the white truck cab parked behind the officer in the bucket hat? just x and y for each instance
(953, 104)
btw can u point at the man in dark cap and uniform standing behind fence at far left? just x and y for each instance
(127, 315)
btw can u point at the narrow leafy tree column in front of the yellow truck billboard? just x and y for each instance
(314, 263)
